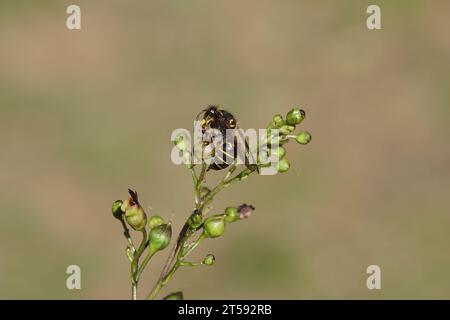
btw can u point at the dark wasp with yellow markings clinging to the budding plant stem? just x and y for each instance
(213, 117)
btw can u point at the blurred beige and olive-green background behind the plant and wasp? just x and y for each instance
(87, 114)
